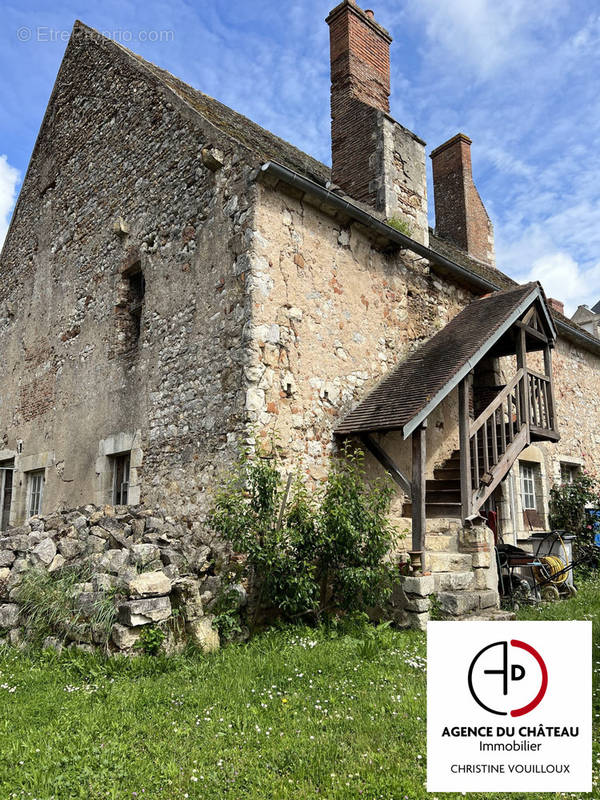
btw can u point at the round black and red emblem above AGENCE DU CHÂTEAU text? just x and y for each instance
(508, 678)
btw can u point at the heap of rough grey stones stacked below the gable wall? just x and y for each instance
(158, 571)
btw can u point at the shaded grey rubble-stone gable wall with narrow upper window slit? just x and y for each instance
(119, 175)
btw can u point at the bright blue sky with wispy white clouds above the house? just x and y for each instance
(519, 77)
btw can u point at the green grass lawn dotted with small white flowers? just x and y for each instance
(295, 714)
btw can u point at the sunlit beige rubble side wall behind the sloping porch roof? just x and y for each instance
(331, 315)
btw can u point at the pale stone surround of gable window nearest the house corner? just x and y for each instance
(118, 444)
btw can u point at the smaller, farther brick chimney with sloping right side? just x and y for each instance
(459, 213)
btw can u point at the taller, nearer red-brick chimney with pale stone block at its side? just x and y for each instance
(374, 159)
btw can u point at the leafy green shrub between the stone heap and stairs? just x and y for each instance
(308, 554)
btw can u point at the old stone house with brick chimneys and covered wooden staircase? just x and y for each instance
(176, 280)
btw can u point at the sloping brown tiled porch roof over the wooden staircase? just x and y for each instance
(406, 396)
